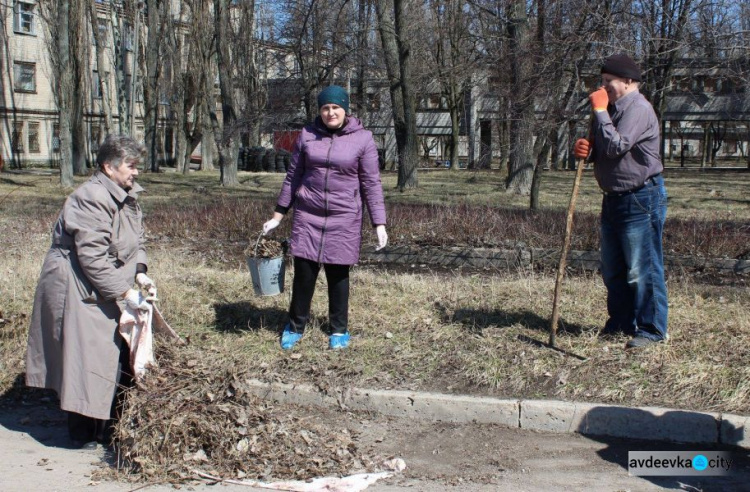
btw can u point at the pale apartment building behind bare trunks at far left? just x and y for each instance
(29, 130)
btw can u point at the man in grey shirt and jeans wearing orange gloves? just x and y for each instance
(624, 146)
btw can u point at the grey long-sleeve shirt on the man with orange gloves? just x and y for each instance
(626, 144)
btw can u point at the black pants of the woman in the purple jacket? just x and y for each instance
(303, 288)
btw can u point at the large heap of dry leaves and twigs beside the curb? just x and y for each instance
(193, 412)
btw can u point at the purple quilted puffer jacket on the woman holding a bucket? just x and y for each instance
(330, 177)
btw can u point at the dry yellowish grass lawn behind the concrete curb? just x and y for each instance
(473, 332)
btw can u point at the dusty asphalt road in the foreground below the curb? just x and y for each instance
(35, 456)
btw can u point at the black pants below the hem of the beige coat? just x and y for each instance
(85, 429)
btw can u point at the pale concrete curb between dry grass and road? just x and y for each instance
(651, 423)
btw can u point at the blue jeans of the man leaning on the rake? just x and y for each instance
(632, 260)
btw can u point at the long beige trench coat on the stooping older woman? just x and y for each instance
(73, 344)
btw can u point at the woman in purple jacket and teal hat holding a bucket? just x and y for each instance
(332, 173)
